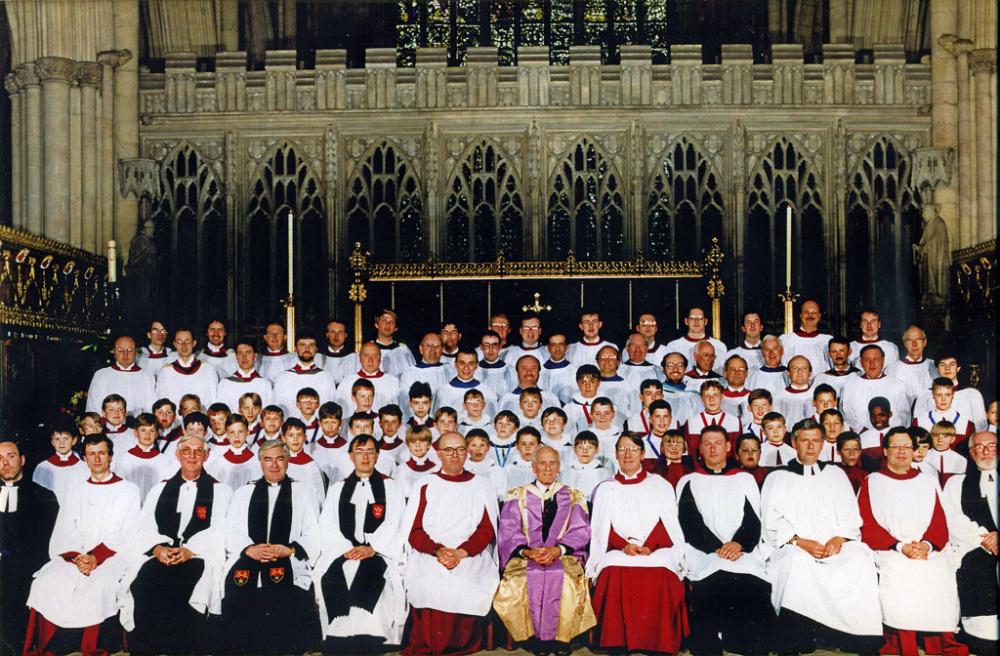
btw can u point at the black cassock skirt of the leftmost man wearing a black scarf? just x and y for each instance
(165, 623)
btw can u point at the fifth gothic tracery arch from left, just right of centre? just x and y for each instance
(586, 206)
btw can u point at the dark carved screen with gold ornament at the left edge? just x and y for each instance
(45, 285)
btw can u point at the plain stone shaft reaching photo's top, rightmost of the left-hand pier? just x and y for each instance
(126, 111)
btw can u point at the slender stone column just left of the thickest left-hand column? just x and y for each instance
(31, 116)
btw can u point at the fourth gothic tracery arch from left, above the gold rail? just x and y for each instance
(485, 209)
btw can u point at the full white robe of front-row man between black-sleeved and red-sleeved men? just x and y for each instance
(840, 592)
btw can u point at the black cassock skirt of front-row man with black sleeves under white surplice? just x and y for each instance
(732, 612)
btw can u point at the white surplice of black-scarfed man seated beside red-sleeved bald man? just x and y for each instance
(388, 617)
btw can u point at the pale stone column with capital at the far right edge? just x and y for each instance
(983, 62)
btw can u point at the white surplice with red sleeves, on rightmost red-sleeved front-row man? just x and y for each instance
(904, 510)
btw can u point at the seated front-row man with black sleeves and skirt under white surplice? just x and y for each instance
(720, 517)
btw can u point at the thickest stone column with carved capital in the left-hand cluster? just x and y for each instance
(55, 74)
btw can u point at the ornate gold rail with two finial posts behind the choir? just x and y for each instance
(502, 269)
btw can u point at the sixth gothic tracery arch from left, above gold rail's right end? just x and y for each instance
(684, 204)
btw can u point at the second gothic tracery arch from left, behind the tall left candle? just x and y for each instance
(285, 181)
